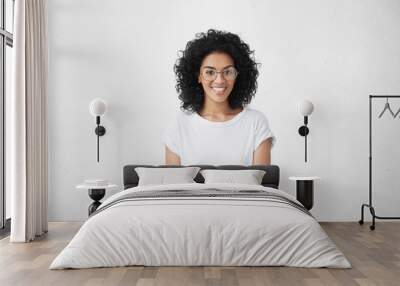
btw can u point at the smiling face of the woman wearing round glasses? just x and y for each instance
(216, 76)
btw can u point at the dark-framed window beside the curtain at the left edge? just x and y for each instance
(6, 44)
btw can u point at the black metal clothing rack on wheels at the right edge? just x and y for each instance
(369, 205)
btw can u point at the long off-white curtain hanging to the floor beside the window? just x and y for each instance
(28, 122)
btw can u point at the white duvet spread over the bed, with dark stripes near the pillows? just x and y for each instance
(200, 231)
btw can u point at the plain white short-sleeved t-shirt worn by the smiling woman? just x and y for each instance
(200, 141)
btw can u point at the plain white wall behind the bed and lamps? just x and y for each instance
(335, 53)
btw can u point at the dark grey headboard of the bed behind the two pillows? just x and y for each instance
(270, 179)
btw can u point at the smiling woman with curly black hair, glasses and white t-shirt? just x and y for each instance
(216, 79)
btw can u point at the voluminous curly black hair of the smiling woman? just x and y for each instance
(187, 69)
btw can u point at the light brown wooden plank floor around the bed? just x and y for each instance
(375, 256)
